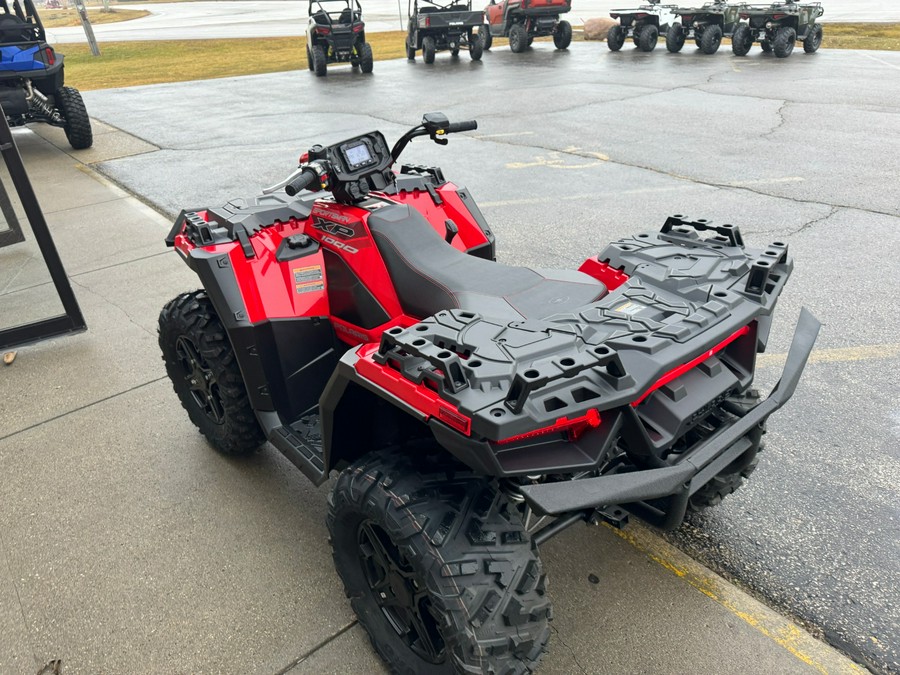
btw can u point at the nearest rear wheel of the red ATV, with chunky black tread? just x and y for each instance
(438, 568)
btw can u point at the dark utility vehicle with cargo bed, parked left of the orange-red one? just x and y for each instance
(437, 26)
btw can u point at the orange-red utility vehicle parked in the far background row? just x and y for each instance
(523, 20)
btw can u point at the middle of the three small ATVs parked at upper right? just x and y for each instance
(707, 25)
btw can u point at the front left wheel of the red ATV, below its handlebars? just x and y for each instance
(200, 362)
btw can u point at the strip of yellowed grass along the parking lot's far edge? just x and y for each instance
(124, 64)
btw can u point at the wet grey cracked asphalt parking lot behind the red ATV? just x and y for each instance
(576, 148)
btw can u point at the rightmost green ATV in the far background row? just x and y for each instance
(778, 26)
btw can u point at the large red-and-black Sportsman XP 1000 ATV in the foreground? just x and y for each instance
(470, 409)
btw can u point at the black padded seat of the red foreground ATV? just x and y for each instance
(430, 275)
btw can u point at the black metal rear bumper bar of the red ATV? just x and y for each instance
(679, 481)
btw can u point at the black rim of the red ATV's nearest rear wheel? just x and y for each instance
(403, 599)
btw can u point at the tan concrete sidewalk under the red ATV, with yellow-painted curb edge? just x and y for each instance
(127, 545)
